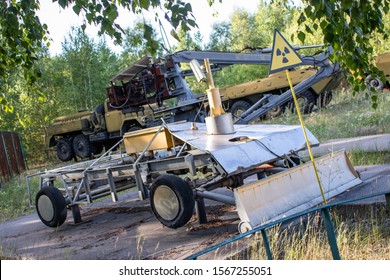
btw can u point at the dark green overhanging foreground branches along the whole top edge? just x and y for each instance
(346, 25)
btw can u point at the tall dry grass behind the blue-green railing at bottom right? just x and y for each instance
(363, 233)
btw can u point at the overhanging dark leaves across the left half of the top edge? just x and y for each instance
(22, 34)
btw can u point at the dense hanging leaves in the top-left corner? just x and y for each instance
(21, 37)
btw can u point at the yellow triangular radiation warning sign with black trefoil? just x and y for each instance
(283, 54)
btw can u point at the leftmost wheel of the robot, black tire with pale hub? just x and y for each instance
(51, 206)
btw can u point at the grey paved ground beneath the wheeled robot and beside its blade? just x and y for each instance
(128, 229)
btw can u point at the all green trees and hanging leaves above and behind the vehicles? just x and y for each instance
(35, 87)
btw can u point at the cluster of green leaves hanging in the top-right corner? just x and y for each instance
(347, 26)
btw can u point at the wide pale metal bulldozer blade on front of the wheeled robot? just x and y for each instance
(295, 190)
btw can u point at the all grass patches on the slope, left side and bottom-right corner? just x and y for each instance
(361, 232)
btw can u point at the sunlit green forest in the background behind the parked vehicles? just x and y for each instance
(77, 78)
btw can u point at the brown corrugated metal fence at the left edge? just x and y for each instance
(11, 155)
